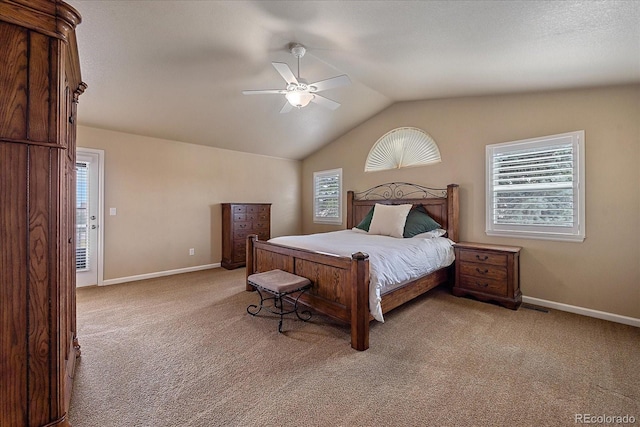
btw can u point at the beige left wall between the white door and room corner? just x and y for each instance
(168, 196)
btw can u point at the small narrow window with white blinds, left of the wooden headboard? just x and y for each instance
(327, 196)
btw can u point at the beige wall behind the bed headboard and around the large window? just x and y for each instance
(603, 272)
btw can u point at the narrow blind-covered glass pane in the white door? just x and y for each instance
(82, 219)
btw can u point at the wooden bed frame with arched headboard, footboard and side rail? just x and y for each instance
(341, 284)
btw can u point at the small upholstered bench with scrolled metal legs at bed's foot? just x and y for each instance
(279, 284)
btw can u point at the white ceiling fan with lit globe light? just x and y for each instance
(298, 92)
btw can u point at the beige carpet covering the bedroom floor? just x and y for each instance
(182, 351)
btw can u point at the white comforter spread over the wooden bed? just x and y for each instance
(392, 261)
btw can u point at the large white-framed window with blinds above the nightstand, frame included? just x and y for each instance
(535, 188)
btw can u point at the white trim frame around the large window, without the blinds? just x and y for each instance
(571, 234)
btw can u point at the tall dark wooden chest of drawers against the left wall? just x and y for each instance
(238, 221)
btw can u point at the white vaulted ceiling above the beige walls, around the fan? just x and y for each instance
(176, 69)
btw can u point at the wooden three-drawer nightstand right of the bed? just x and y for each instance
(489, 273)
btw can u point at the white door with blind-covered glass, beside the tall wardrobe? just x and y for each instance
(89, 174)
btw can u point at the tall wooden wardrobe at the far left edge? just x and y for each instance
(39, 88)
